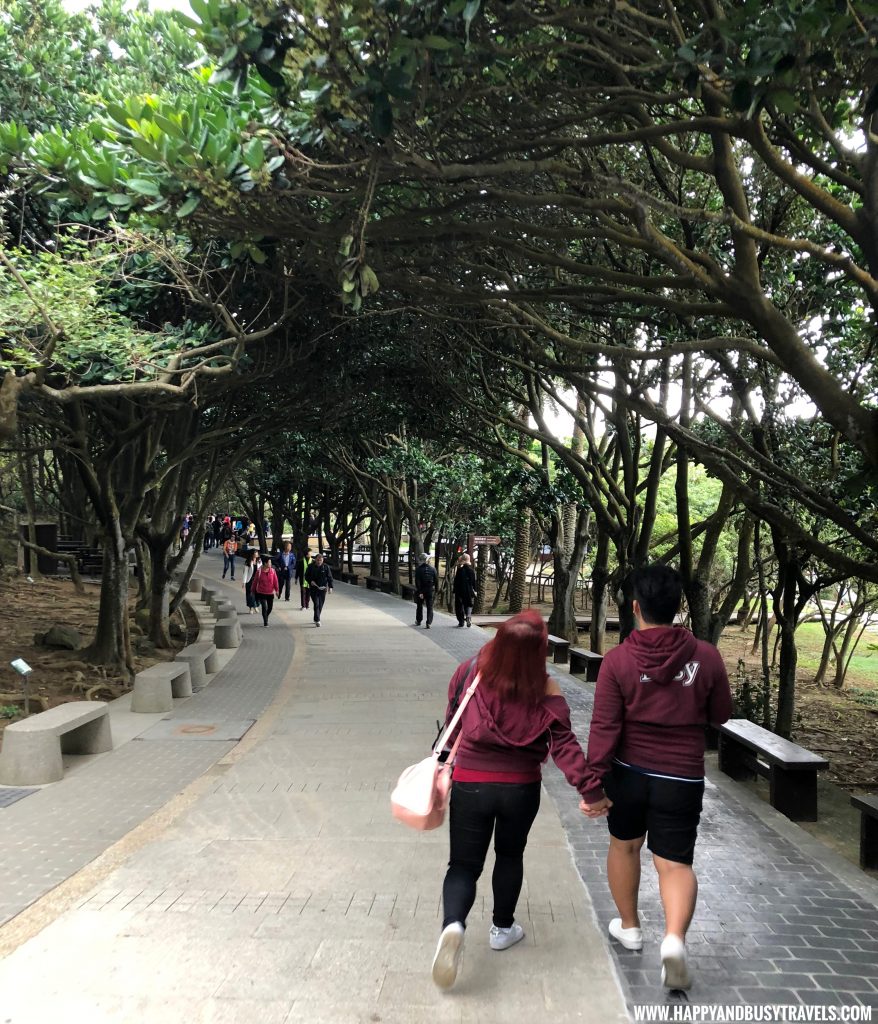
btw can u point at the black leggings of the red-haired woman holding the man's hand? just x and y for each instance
(478, 810)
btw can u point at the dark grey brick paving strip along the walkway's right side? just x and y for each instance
(772, 925)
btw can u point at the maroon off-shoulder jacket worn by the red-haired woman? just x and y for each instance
(509, 737)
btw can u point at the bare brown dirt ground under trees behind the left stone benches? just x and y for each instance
(59, 676)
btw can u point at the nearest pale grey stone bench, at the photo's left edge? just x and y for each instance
(32, 749)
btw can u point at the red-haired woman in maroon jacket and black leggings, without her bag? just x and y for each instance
(517, 717)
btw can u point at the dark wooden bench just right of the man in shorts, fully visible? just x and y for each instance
(746, 749)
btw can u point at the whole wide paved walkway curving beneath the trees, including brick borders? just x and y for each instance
(272, 885)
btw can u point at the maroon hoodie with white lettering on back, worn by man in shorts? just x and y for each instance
(655, 695)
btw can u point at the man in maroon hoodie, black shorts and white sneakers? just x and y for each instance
(655, 695)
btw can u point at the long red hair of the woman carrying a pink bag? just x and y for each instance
(514, 664)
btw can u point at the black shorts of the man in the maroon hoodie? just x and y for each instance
(665, 810)
